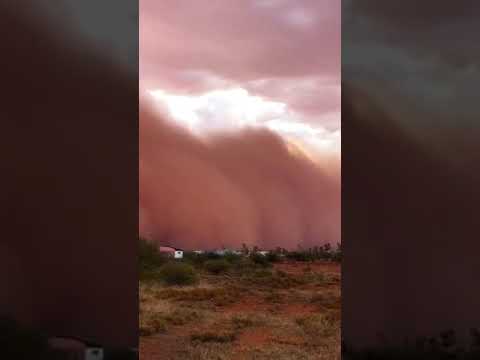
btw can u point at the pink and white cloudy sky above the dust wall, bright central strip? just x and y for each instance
(258, 63)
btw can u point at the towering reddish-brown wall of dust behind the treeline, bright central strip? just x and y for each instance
(233, 188)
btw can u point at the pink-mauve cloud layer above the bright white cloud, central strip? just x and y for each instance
(287, 51)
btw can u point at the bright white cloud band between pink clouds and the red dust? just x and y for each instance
(235, 108)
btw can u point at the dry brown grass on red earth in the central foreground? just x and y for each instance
(286, 312)
